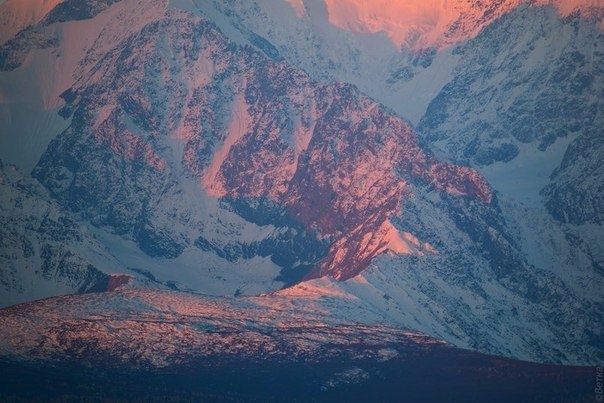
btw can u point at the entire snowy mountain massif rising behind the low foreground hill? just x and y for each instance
(232, 148)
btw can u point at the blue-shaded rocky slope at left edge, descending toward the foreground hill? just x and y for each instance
(43, 251)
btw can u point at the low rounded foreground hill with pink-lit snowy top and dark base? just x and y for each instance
(143, 344)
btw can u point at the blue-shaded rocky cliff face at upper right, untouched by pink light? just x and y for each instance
(529, 89)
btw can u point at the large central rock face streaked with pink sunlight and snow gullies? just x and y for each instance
(248, 128)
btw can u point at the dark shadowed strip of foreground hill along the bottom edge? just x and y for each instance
(438, 374)
